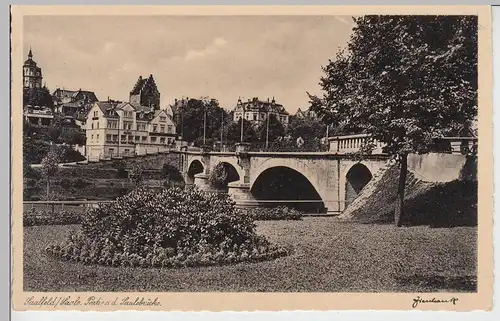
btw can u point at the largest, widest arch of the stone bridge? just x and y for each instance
(279, 181)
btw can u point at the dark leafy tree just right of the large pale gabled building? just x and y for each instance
(193, 115)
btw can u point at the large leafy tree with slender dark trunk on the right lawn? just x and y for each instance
(406, 80)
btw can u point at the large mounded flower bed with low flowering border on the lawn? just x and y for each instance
(173, 228)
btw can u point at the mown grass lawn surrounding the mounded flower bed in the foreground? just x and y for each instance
(328, 256)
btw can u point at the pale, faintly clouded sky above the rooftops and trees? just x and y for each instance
(222, 57)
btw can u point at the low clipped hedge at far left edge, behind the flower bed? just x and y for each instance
(35, 217)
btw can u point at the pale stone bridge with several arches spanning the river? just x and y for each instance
(316, 181)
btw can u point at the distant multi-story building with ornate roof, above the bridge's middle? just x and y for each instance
(256, 111)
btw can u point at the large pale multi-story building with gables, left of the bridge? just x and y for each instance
(117, 129)
